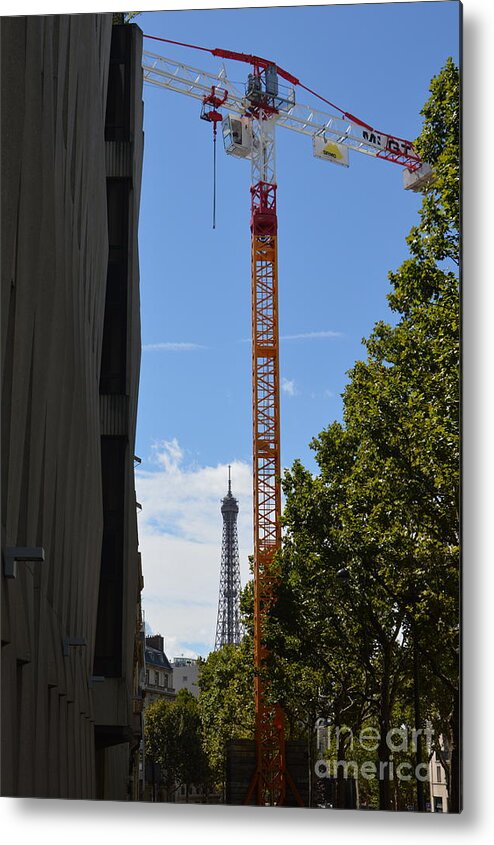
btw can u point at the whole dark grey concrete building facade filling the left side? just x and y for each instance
(72, 644)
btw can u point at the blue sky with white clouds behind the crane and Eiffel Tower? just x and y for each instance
(340, 232)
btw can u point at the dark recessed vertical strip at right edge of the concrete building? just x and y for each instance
(117, 701)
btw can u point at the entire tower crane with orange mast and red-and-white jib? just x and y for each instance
(248, 121)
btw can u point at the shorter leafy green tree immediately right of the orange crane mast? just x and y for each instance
(335, 648)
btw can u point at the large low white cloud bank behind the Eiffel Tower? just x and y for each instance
(180, 530)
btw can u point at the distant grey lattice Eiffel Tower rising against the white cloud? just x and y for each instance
(228, 628)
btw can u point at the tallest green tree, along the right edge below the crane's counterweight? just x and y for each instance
(404, 404)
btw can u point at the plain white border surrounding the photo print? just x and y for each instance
(77, 821)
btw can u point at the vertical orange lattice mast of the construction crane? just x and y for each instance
(270, 775)
